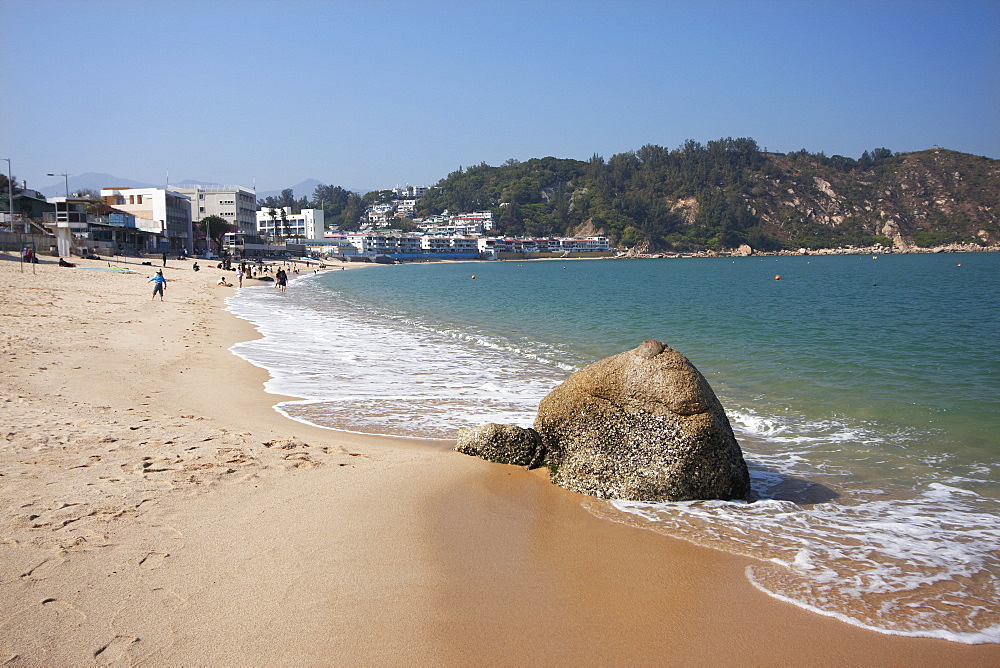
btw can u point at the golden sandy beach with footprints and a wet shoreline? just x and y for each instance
(158, 510)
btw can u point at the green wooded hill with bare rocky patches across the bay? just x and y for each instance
(728, 192)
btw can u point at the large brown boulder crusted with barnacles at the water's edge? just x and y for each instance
(641, 425)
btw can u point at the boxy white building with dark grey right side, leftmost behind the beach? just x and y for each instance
(162, 212)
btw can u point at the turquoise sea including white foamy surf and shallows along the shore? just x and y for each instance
(865, 393)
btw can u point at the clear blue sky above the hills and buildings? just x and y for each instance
(373, 94)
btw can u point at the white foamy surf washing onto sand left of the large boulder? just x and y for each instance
(358, 370)
